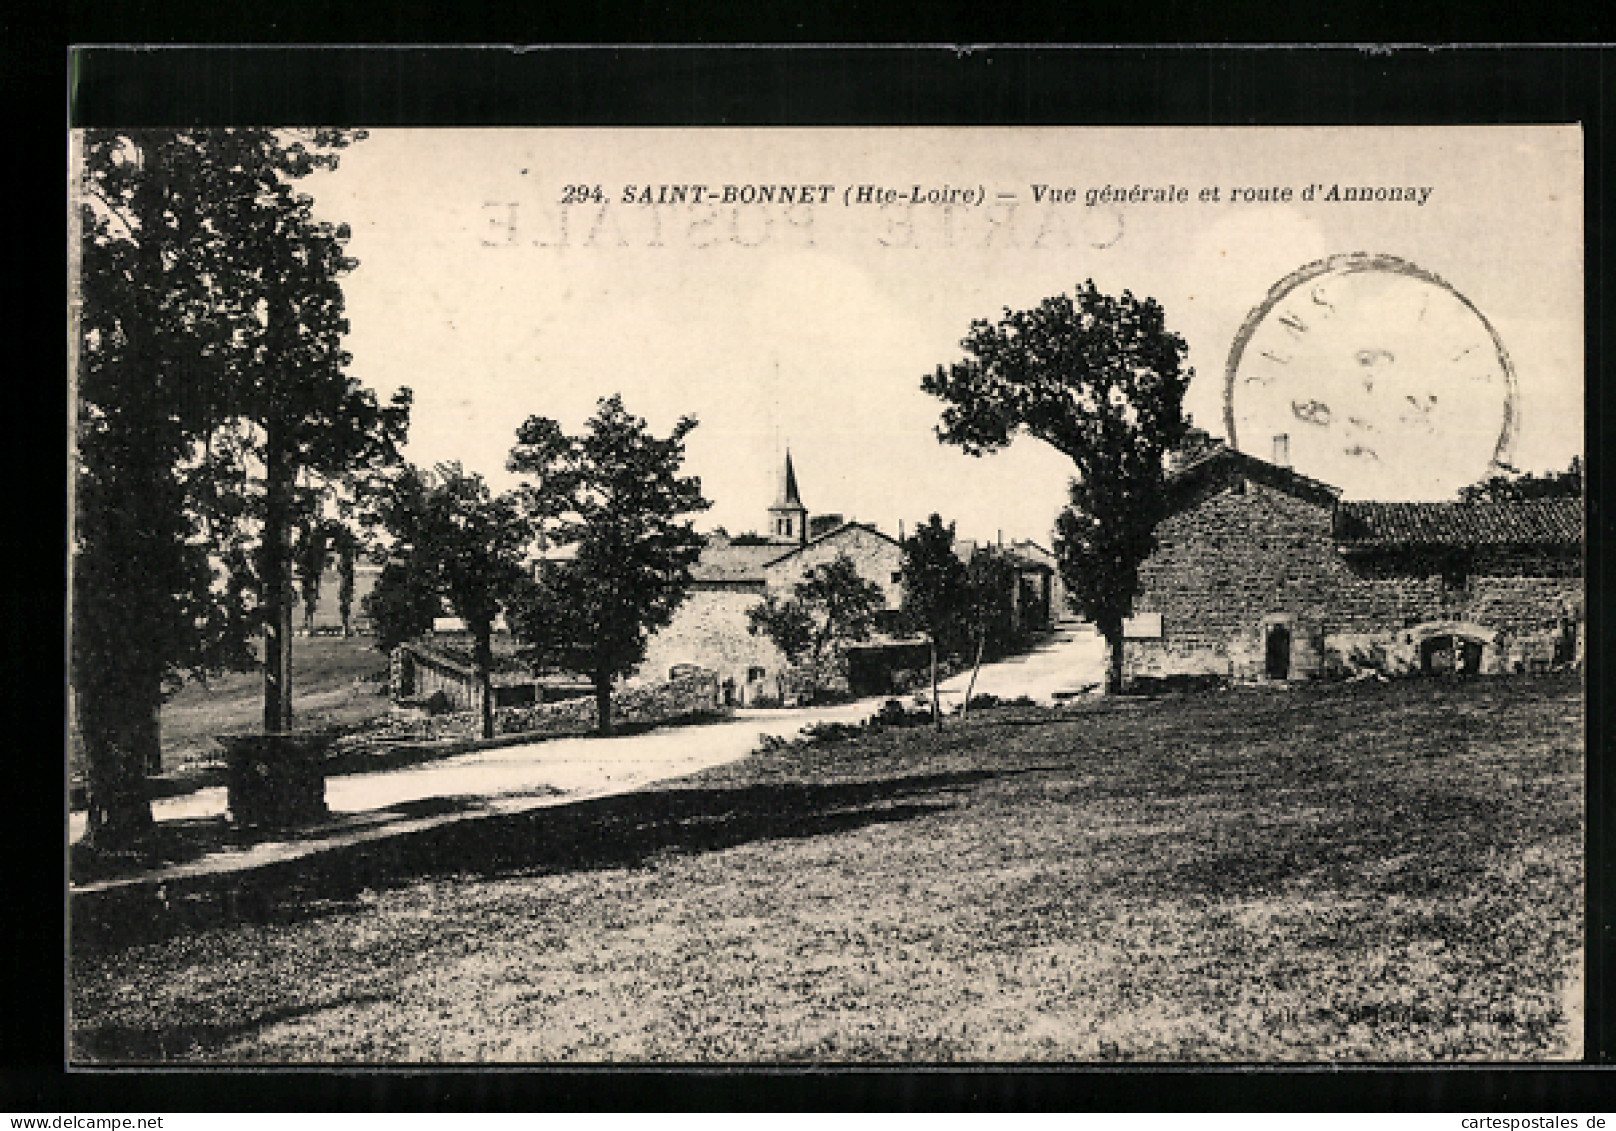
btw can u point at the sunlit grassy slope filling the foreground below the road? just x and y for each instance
(1366, 872)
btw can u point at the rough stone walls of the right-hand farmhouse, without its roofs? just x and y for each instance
(1242, 563)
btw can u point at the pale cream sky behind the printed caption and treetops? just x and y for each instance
(810, 327)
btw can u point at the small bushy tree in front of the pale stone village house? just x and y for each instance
(828, 610)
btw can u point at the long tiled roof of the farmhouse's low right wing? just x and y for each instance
(1528, 523)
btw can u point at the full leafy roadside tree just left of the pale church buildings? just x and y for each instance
(613, 508)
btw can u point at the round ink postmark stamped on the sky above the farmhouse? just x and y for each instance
(1382, 377)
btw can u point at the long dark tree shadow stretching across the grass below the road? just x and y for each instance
(623, 831)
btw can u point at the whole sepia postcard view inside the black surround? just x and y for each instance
(1043, 595)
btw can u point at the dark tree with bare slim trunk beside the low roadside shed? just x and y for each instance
(457, 544)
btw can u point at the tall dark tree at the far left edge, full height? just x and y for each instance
(148, 343)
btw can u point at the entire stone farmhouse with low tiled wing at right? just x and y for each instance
(1263, 573)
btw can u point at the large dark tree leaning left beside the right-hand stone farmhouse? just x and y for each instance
(1101, 381)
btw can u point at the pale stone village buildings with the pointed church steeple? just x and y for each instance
(731, 578)
